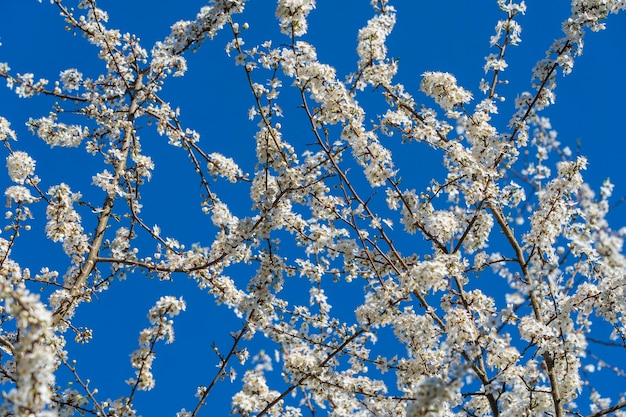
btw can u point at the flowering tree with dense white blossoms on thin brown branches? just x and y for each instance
(485, 292)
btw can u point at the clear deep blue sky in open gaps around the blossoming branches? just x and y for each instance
(430, 35)
